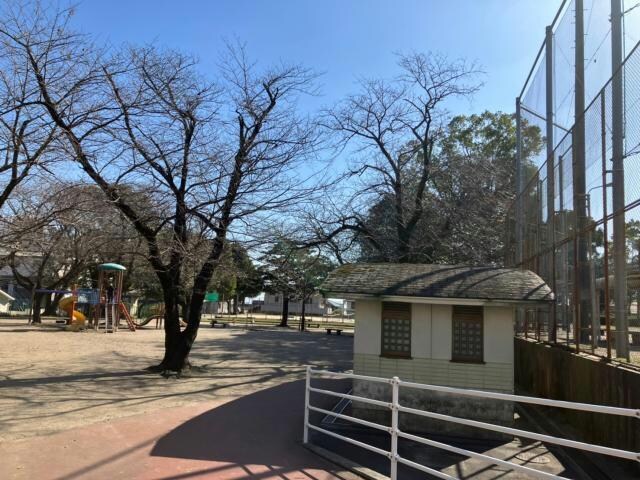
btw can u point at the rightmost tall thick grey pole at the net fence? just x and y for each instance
(617, 139)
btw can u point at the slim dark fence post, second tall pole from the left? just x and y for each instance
(551, 229)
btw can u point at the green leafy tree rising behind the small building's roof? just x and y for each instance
(471, 188)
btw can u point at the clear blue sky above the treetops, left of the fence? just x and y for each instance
(344, 39)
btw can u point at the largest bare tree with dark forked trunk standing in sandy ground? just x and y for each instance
(213, 155)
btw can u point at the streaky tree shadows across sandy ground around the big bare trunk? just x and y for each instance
(229, 366)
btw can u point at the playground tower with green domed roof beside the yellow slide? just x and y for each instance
(109, 308)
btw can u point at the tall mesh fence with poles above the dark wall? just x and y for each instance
(576, 220)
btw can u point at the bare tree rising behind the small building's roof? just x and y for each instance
(392, 130)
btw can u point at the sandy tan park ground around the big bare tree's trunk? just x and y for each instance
(52, 380)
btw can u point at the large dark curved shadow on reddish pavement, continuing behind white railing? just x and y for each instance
(266, 427)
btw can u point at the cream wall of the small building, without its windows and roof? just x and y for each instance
(430, 362)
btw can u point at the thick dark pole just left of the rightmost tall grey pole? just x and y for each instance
(582, 282)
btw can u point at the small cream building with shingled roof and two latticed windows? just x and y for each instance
(436, 324)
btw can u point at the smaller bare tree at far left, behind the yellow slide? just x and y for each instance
(51, 235)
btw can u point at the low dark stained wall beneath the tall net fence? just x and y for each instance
(553, 372)
